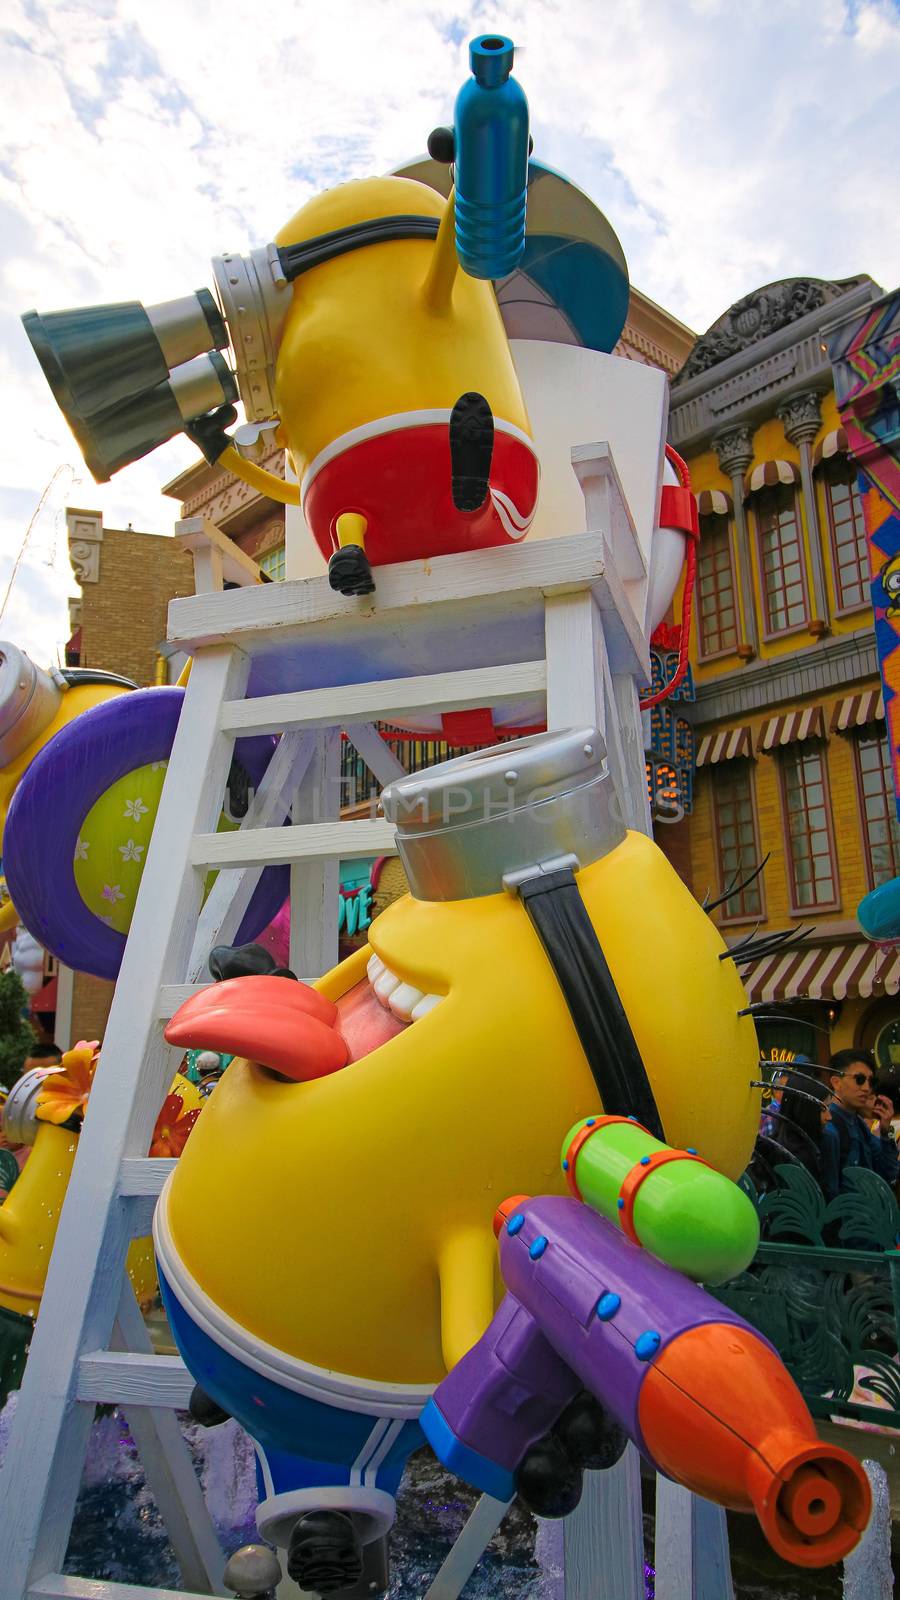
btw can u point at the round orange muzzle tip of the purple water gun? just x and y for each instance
(818, 1506)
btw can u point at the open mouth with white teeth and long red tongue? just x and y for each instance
(292, 1030)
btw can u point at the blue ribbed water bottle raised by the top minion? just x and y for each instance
(492, 162)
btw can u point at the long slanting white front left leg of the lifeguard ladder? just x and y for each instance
(42, 1468)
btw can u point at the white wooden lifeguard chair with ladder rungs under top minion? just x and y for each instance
(545, 623)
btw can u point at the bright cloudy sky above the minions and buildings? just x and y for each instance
(729, 142)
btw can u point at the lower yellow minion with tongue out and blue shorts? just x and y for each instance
(547, 964)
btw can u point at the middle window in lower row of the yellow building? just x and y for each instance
(808, 820)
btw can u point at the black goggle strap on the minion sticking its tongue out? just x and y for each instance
(568, 935)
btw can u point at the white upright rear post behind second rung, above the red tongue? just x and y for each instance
(316, 881)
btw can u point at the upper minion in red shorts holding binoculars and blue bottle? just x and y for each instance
(368, 342)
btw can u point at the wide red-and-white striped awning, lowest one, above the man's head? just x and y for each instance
(826, 972)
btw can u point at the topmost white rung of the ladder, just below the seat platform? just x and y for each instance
(390, 700)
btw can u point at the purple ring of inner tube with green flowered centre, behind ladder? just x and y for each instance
(54, 799)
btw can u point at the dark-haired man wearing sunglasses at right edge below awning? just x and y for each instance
(848, 1140)
